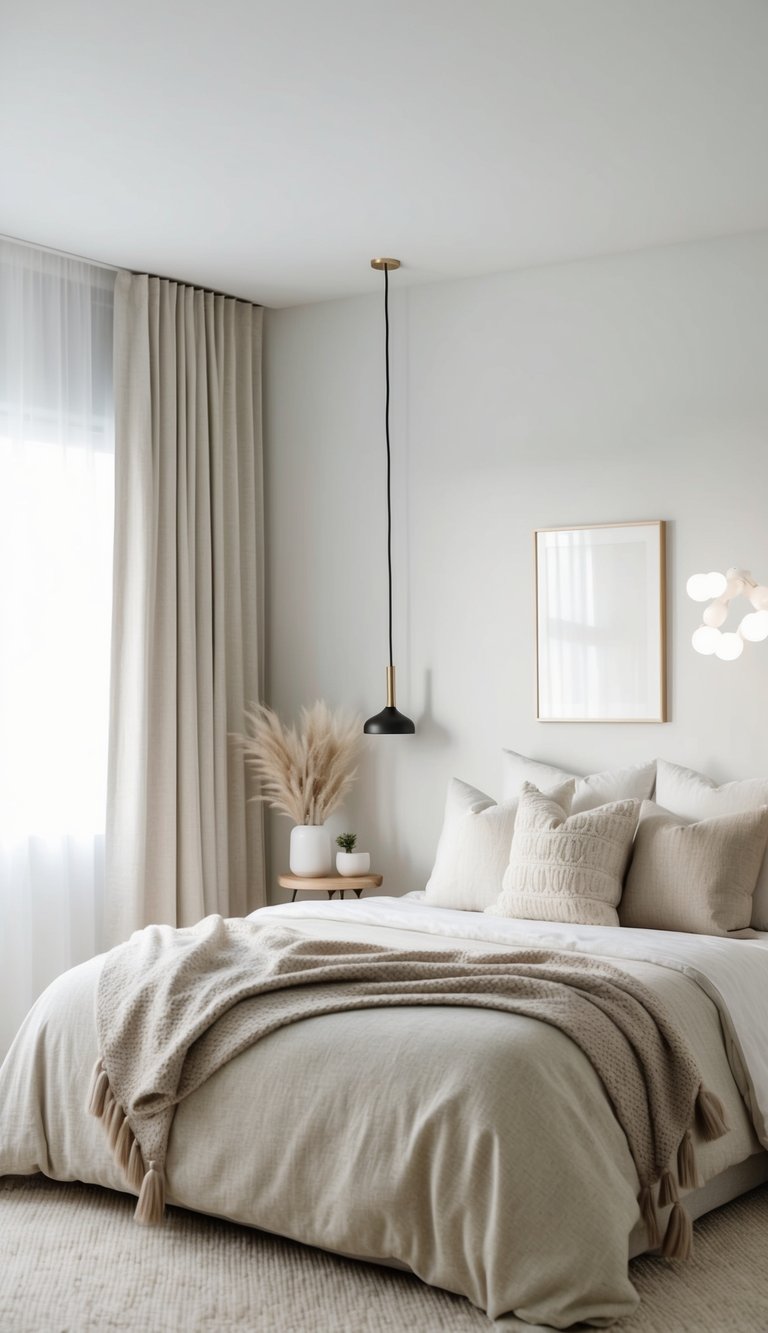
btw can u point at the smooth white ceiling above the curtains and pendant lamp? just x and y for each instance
(269, 150)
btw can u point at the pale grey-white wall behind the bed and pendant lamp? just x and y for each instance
(623, 389)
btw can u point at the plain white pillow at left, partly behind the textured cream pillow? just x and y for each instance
(474, 847)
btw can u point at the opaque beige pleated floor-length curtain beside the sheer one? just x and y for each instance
(189, 606)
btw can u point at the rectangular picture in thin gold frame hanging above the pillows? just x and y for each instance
(601, 625)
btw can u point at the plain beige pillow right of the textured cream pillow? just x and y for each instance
(698, 878)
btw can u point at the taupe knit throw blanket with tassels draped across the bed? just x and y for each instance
(175, 1006)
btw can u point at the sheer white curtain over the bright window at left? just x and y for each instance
(57, 525)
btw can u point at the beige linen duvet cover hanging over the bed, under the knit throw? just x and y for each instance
(477, 1148)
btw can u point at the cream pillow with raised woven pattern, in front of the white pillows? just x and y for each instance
(567, 868)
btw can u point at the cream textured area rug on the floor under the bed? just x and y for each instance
(74, 1262)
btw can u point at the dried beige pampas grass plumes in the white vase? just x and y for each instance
(306, 772)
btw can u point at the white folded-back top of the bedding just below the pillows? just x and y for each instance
(733, 972)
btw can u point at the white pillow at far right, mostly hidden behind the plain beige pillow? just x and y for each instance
(695, 798)
